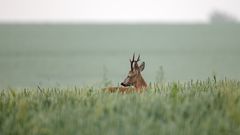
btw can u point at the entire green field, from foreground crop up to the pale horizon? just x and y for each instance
(52, 75)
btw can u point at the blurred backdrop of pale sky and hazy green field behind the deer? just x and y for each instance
(89, 42)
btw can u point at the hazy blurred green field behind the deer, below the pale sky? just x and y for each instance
(68, 55)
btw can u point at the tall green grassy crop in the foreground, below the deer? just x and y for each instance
(195, 107)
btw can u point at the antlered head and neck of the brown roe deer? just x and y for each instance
(134, 77)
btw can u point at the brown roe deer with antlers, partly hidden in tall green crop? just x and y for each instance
(134, 78)
